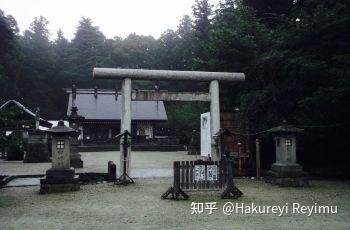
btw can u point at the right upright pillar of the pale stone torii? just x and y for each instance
(214, 116)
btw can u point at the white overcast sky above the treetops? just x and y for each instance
(114, 17)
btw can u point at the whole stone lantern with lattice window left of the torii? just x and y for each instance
(60, 178)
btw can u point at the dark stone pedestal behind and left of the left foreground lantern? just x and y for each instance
(37, 148)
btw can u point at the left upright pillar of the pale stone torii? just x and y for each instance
(125, 120)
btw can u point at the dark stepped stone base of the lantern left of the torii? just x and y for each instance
(59, 180)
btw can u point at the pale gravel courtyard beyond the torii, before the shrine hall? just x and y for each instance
(143, 164)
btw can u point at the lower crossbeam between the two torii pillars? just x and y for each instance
(153, 95)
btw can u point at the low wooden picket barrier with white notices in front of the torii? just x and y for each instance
(202, 176)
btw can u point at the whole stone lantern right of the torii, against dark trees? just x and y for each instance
(286, 171)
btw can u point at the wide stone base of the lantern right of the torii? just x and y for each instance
(287, 175)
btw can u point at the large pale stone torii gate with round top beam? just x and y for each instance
(126, 75)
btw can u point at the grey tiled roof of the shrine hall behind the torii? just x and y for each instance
(106, 107)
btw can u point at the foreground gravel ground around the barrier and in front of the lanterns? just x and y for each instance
(138, 206)
